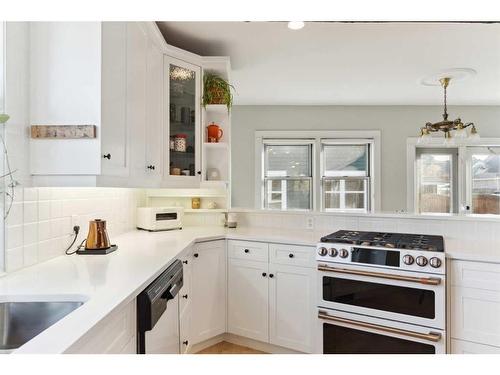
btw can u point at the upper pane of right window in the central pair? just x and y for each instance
(345, 160)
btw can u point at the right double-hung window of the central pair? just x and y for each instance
(346, 177)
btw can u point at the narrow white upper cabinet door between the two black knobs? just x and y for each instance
(137, 42)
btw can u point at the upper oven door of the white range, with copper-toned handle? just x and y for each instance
(411, 297)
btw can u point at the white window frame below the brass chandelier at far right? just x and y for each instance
(464, 173)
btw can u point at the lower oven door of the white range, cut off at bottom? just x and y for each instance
(346, 333)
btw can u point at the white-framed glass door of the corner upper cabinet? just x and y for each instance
(183, 92)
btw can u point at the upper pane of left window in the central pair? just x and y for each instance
(287, 161)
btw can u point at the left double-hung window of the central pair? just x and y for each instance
(288, 174)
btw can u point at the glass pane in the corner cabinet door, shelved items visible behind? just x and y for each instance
(182, 120)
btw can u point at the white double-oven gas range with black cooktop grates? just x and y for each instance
(381, 293)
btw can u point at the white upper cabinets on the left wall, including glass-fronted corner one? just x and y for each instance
(143, 96)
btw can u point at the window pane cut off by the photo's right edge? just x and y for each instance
(486, 183)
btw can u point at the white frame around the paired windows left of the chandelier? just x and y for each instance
(346, 136)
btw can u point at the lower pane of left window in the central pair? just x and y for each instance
(288, 194)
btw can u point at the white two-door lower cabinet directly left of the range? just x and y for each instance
(273, 302)
